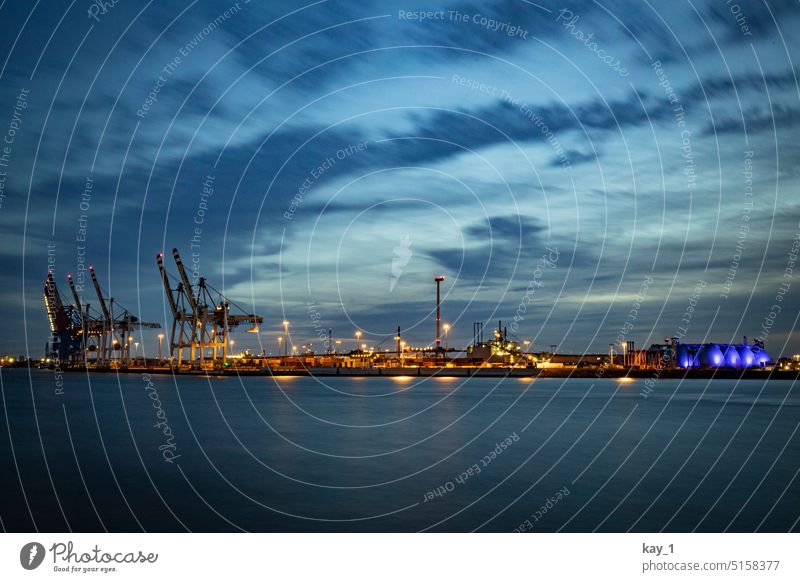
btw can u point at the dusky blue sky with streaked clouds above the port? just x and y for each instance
(357, 150)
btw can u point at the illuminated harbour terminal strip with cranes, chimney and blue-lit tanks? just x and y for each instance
(199, 340)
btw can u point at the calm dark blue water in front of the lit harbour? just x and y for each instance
(366, 454)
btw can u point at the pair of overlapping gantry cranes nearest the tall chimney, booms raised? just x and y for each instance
(201, 318)
